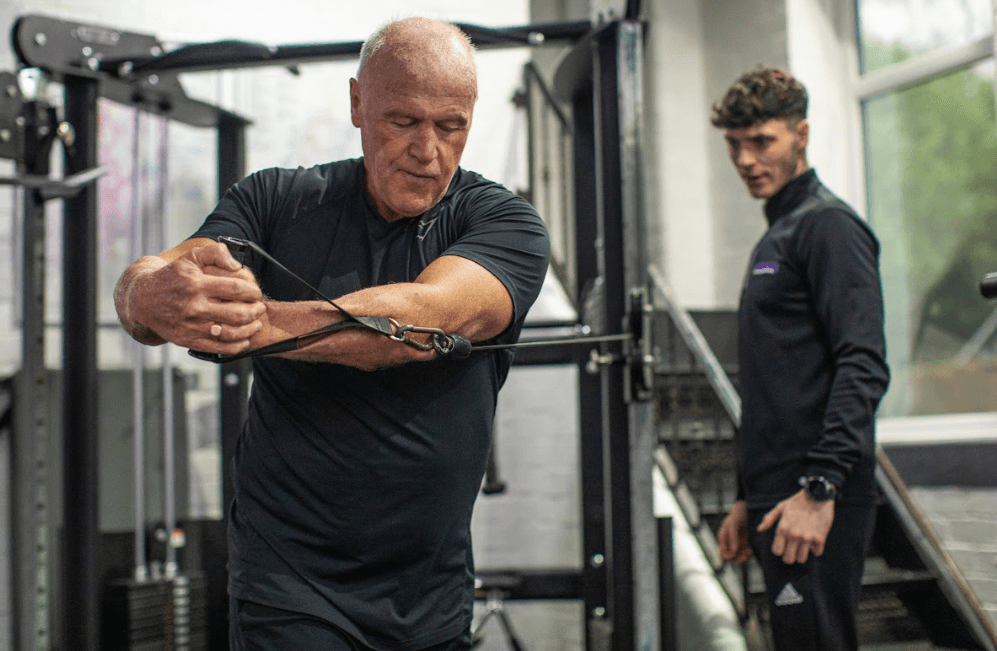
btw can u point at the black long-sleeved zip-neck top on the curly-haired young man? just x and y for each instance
(812, 349)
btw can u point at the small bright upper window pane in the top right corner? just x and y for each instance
(893, 30)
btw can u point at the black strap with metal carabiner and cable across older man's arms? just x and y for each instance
(446, 345)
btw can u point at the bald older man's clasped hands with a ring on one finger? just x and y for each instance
(195, 295)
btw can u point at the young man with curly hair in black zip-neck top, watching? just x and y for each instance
(812, 372)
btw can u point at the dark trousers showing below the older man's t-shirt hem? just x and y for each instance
(254, 627)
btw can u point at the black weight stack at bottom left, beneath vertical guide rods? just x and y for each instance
(164, 614)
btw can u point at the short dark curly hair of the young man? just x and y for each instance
(763, 94)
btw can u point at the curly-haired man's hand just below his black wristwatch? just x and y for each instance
(802, 527)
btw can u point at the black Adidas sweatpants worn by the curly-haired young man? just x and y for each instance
(812, 607)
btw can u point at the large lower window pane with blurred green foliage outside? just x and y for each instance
(932, 165)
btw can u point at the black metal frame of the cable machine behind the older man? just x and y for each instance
(600, 78)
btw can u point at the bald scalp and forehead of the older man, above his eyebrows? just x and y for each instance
(431, 54)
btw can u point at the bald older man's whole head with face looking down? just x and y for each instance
(413, 101)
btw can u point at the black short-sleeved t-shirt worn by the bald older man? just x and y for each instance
(354, 489)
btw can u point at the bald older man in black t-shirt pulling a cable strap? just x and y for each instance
(357, 470)
